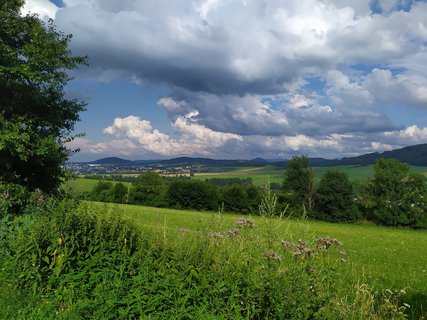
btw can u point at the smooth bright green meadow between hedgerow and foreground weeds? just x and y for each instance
(389, 258)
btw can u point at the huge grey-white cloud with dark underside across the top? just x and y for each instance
(236, 47)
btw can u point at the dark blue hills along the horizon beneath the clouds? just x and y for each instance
(413, 155)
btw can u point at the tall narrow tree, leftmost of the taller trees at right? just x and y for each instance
(299, 182)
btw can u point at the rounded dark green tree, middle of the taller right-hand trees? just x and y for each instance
(335, 199)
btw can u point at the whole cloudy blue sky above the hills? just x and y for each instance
(240, 79)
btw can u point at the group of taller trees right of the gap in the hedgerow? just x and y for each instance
(394, 197)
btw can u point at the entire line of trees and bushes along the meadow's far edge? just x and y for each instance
(394, 197)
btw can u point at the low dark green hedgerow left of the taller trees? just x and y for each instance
(151, 189)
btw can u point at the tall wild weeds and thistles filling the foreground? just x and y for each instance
(74, 261)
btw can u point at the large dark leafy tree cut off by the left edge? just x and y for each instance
(36, 119)
